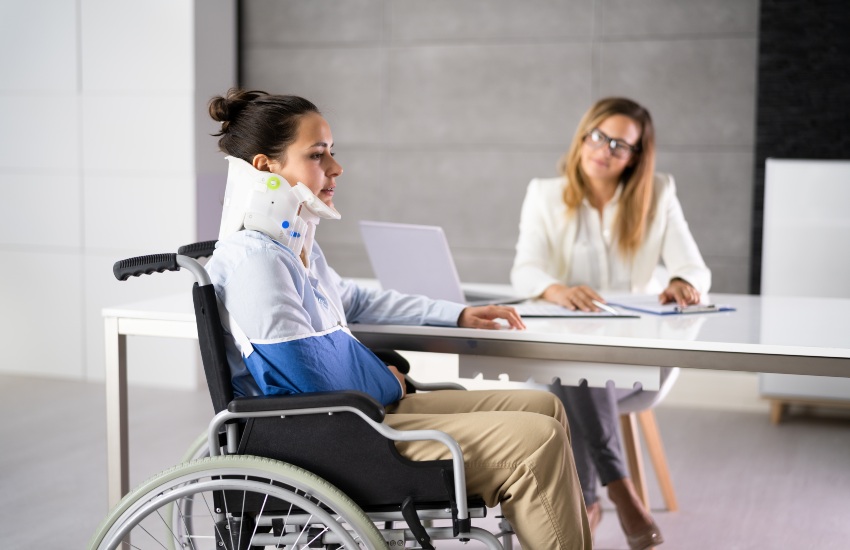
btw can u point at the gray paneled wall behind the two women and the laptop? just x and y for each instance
(442, 111)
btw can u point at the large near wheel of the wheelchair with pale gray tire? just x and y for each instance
(237, 502)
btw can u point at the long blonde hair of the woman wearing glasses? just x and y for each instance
(636, 202)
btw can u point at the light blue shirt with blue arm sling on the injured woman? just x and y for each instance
(297, 320)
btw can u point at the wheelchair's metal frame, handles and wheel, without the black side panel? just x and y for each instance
(342, 523)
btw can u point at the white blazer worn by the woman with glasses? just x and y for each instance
(547, 232)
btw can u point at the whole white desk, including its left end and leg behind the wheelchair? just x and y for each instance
(765, 334)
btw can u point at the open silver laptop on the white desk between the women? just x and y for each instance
(416, 259)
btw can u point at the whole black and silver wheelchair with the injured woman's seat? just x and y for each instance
(317, 470)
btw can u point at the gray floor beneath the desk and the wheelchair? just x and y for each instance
(741, 482)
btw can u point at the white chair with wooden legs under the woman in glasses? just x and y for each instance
(637, 408)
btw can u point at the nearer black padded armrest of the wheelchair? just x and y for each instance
(348, 398)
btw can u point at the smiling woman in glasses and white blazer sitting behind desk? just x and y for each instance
(604, 226)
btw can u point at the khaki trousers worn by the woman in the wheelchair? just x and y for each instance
(516, 451)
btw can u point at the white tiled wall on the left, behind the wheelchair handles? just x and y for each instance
(97, 163)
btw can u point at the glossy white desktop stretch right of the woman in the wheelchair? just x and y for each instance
(765, 334)
